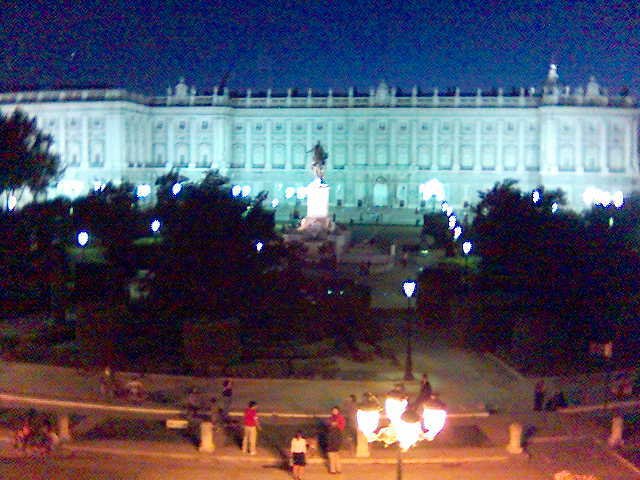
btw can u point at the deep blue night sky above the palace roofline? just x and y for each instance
(145, 46)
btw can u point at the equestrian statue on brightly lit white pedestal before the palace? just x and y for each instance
(317, 228)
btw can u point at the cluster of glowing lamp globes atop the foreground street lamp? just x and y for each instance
(401, 423)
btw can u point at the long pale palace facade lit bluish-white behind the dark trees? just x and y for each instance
(388, 151)
